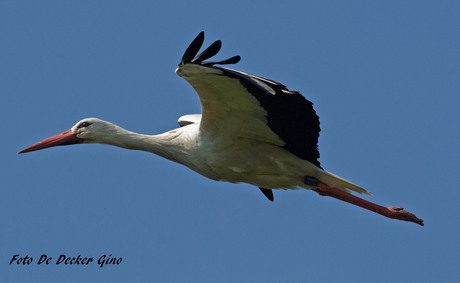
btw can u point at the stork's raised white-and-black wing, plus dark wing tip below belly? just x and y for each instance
(250, 106)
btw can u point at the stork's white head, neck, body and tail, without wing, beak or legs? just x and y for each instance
(223, 158)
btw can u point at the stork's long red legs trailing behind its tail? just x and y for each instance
(391, 212)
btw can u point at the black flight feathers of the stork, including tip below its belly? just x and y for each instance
(289, 114)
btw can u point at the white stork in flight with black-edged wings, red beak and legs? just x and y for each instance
(252, 130)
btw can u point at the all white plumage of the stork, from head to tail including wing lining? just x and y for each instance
(229, 142)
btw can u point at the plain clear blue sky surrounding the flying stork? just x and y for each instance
(384, 77)
